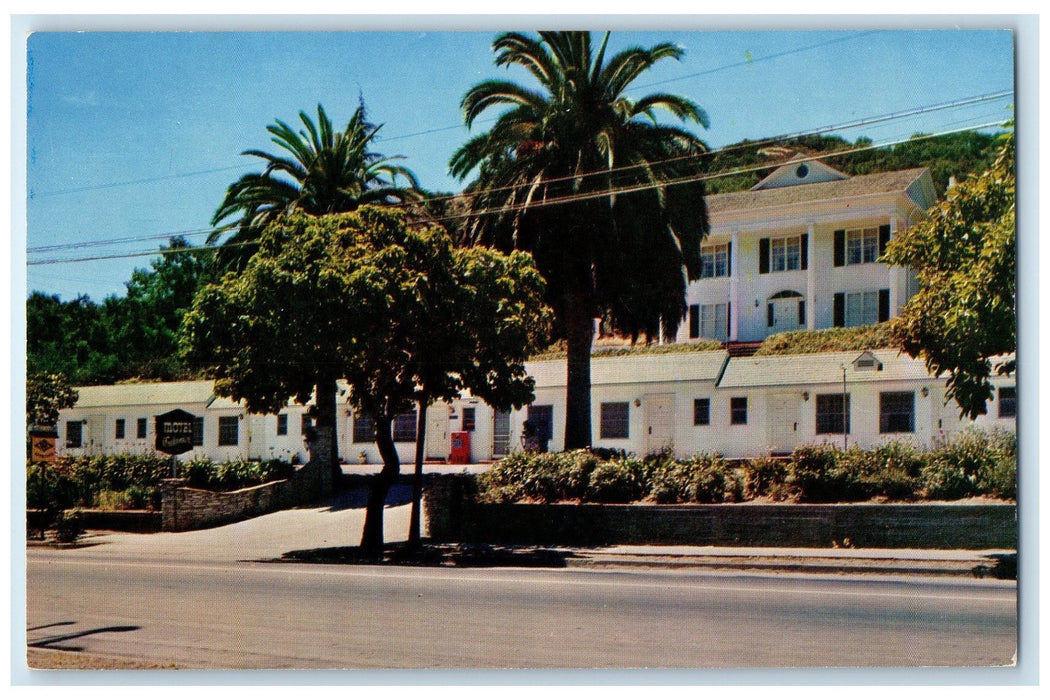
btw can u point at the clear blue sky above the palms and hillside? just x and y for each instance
(137, 136)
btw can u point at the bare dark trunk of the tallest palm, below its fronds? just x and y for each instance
(580, 336)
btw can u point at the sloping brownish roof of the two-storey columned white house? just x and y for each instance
(898, 182)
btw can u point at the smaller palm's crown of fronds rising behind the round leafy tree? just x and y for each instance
(327, 173)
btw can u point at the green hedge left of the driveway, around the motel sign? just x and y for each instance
(118, 482)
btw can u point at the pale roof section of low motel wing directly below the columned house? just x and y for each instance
(821, 369)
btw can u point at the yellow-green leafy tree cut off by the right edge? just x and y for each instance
(964, 315)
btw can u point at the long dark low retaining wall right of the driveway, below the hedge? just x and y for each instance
(453, 517)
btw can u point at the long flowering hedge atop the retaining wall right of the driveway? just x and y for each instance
(973, 463)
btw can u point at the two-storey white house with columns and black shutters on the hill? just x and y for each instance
(800, 250)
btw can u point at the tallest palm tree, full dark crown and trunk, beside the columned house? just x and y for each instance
(583, 177)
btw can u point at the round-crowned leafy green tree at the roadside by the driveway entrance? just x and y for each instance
(367, 299)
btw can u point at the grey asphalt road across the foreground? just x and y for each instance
(216, 614)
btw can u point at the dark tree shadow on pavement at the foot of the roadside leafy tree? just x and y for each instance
(438, 556)
